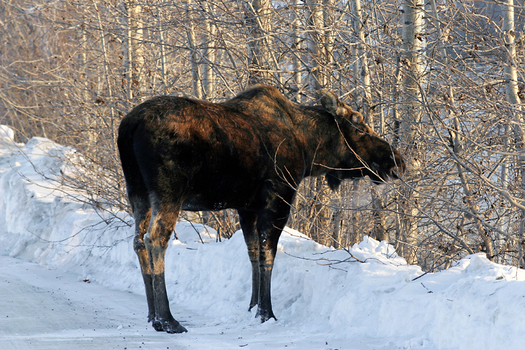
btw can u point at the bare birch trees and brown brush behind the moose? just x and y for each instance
(442, 80)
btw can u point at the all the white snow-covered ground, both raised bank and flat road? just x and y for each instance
(69, 280)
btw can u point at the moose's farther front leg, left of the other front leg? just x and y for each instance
(248, 220)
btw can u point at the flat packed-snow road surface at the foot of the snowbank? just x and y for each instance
(43, 308)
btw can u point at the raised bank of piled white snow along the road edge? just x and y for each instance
(476, 304)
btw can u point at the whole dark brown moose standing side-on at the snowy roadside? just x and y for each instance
(248, 153)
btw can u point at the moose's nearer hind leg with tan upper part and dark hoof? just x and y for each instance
(156, 240)
